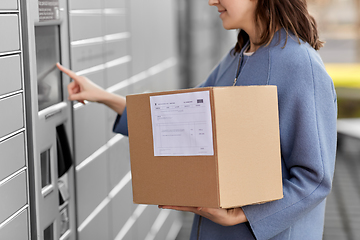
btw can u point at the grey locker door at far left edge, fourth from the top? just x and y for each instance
(12, 118)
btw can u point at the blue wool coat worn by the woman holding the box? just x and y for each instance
(307, 115)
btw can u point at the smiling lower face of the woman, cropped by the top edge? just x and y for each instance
(236, 14)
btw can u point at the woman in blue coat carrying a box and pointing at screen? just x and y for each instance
(276, 45)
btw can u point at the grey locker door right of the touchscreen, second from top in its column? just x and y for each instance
(85, 26)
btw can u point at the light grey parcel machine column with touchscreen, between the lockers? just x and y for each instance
(46, 42)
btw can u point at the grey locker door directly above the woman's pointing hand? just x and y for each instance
(87, 56)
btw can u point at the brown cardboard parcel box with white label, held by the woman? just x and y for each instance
(208, 147)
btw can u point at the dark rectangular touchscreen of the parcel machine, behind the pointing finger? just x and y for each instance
(47, 55)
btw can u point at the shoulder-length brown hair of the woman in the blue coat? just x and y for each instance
(292, 15)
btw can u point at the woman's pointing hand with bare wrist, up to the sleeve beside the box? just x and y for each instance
(82, 89)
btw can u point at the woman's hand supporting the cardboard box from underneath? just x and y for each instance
(225, 217)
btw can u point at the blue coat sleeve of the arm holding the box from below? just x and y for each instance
(307, 115)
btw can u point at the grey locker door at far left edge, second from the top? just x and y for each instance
(10, 35)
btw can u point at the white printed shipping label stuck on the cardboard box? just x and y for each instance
(181, 124)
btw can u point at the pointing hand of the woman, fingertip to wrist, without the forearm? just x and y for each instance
(82, 88)
